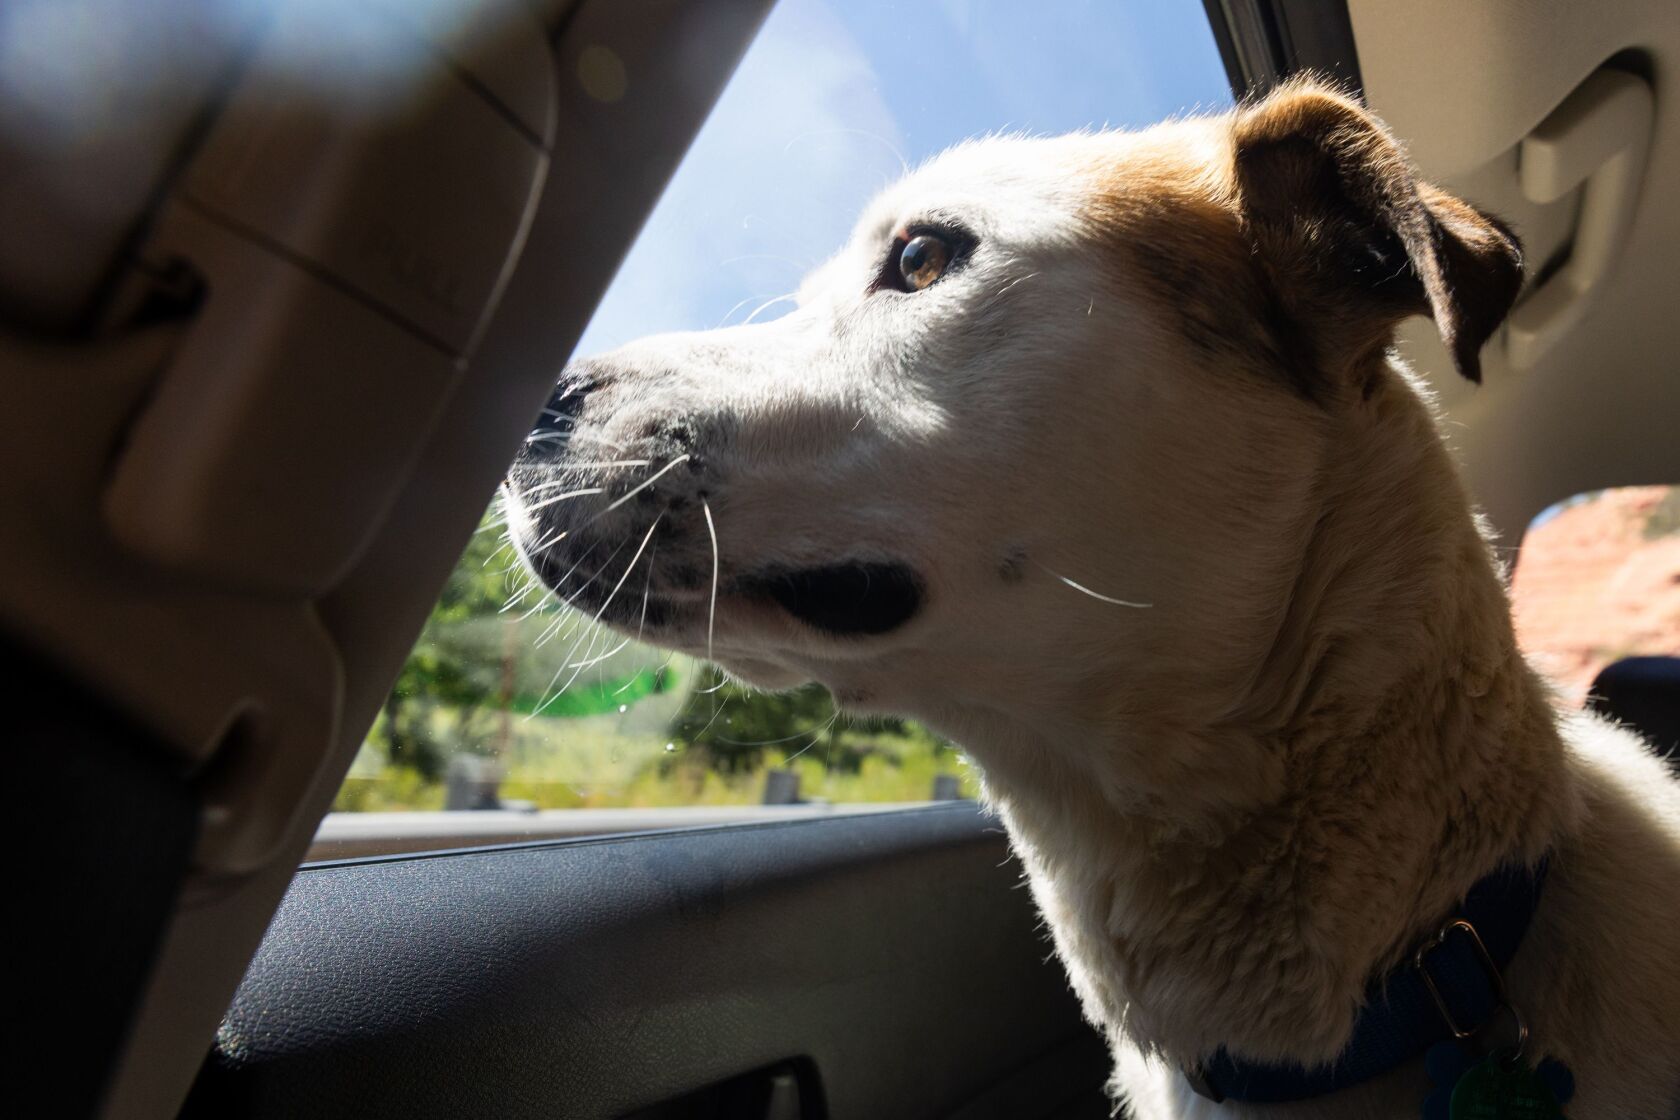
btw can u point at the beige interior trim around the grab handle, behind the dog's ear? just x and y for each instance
(1464, 85)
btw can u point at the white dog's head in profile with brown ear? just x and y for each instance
(1058, 404)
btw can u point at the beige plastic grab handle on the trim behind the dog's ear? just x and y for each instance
(1600, 137)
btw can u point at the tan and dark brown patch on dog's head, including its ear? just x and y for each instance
(1294, 234)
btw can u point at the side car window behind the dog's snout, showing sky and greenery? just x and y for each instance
(518, 708)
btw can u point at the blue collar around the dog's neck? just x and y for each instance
(1446, 992)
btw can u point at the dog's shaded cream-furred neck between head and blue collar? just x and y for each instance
(1237, 881)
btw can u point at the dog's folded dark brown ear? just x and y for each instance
(1355, 241)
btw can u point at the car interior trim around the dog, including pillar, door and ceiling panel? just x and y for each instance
(271, 333)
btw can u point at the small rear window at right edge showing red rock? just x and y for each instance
(1599, 580)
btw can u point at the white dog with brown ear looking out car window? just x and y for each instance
(1091, 453)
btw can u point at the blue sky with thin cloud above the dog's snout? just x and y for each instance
(837, 97)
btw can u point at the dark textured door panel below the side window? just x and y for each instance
(602, 978)
